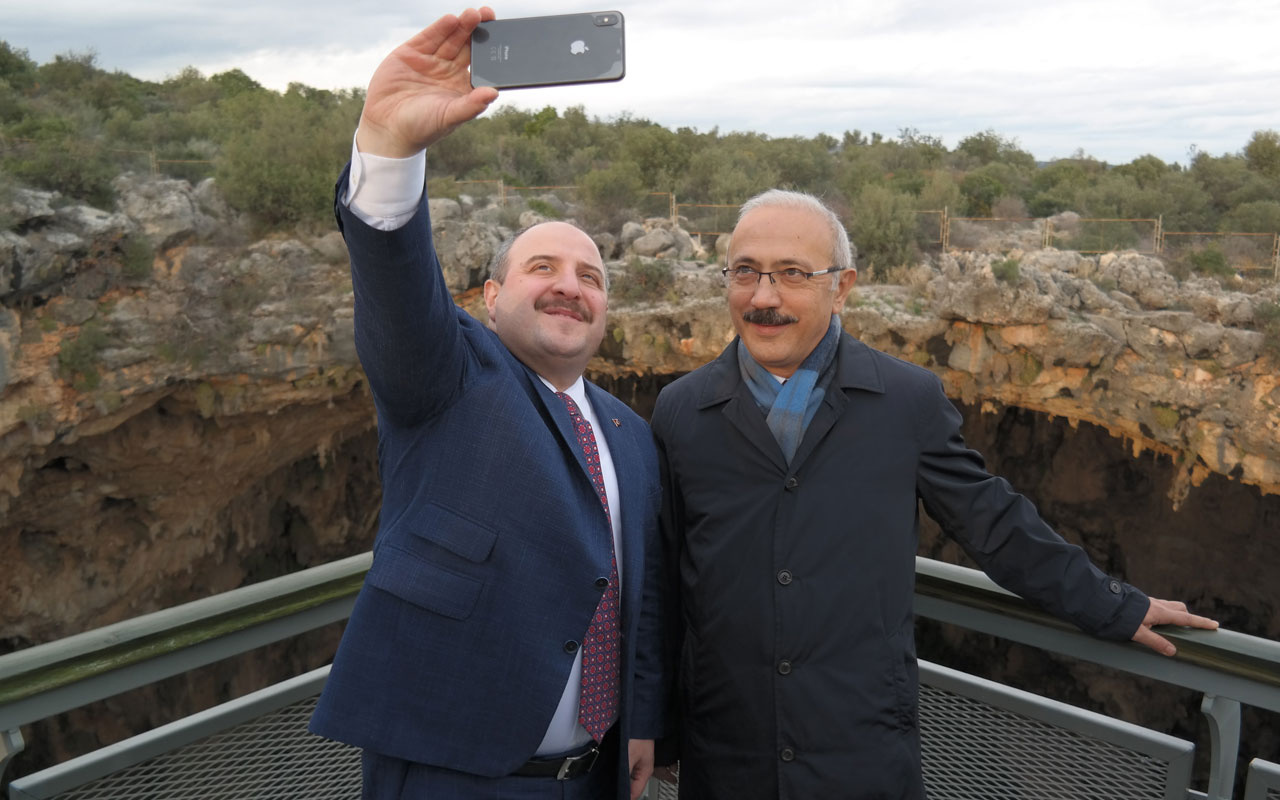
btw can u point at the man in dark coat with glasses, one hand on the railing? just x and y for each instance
(793, 467)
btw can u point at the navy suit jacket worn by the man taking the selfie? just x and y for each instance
(492, 537)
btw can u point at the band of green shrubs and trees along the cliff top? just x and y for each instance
(71, 126)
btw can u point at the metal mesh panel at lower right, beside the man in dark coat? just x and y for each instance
(973, 751)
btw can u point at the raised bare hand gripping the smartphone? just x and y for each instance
(423, 90)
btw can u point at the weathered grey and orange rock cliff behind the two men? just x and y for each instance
(162, 427)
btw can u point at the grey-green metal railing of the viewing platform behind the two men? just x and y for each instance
(979, 739)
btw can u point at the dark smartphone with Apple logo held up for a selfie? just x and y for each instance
(548, 51)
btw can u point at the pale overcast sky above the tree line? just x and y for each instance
(1117, 79)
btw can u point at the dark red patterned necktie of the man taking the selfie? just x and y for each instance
(600, 703)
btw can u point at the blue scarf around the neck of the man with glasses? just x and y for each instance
(790, 406)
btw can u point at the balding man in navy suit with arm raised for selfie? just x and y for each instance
(497, 648)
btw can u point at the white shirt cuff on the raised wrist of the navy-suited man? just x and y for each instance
(385, 193)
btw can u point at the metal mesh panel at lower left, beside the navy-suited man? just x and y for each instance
(271, 757)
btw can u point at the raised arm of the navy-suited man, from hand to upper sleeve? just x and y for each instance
(408, 328)
